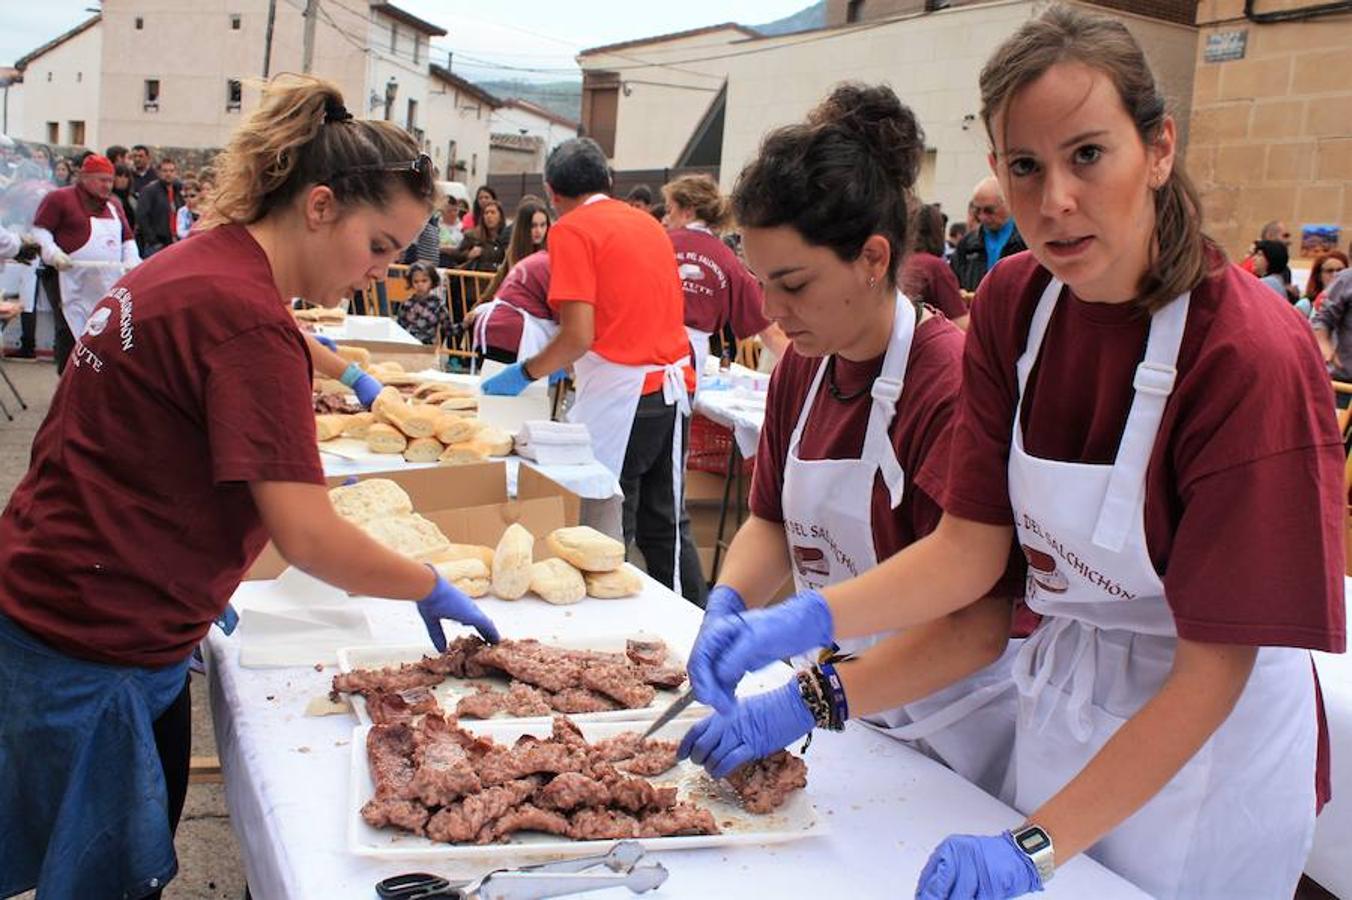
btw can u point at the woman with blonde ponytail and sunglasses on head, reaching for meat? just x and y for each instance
(179, 443)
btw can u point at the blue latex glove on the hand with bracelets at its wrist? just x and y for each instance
(755, 729)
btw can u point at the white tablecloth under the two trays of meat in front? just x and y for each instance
(287, 784)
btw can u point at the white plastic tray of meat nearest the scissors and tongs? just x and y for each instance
(796, 820)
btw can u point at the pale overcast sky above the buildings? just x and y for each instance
(500, 40)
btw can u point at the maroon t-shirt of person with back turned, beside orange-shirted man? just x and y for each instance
(719, 289)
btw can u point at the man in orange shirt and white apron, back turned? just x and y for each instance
(621, 314)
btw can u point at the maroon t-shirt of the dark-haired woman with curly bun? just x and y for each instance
(836, 430)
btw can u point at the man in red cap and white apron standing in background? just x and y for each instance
(87, 245)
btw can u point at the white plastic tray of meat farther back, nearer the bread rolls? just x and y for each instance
(452, 690)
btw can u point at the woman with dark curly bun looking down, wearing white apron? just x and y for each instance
(859, 401)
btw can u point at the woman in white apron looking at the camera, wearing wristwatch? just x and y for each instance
(1184, 529)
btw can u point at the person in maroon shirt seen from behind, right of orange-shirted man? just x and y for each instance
(720, 291)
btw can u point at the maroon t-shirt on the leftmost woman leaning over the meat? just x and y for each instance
(135, 524)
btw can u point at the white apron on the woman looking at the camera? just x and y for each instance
(1238, 821)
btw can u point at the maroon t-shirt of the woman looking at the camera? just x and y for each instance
(1245, 507)
